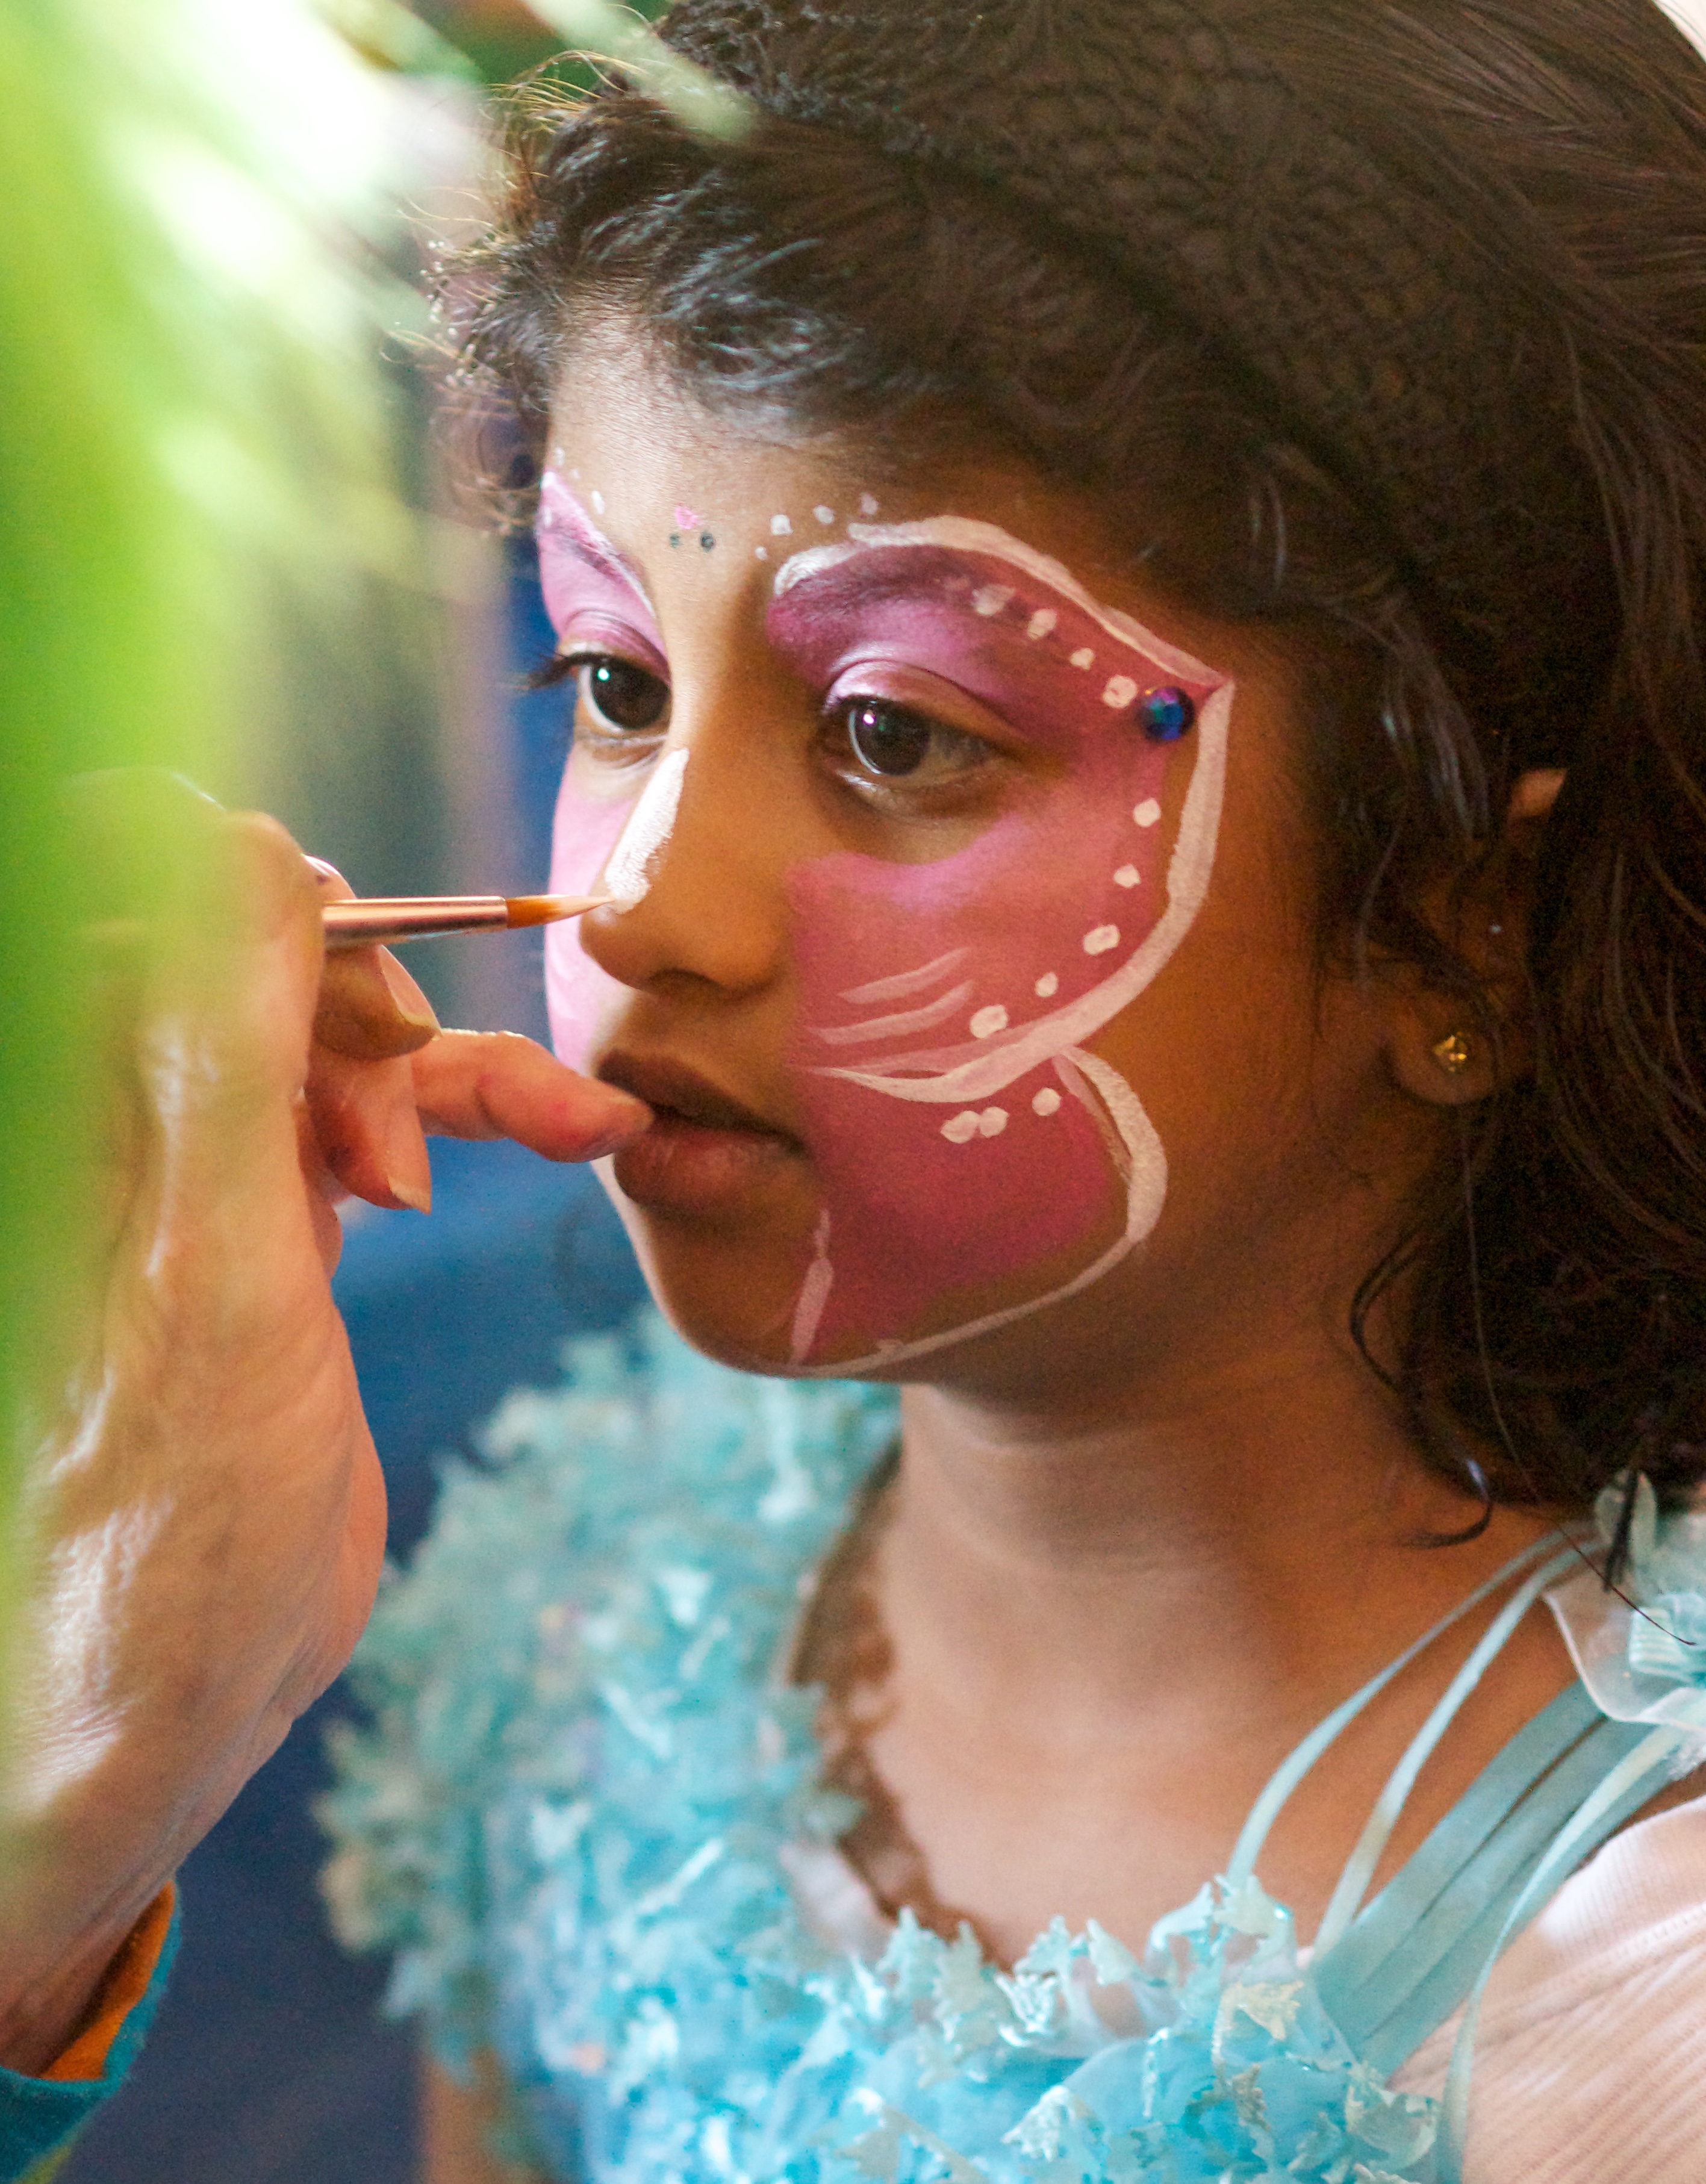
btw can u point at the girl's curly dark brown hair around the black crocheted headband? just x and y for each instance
(1554, 1277)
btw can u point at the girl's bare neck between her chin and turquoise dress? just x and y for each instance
(1251, 1543)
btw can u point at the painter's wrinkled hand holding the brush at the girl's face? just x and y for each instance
(209, 1510)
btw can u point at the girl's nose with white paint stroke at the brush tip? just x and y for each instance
(700, 875)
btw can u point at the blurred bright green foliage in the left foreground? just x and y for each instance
(191, 464)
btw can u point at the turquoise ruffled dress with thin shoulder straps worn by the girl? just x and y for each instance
(584, 1792)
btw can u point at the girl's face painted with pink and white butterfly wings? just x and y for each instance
(964, 905)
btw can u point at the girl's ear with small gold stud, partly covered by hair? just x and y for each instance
(1438, 1049)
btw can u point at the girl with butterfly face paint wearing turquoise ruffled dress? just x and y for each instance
(1133, 589)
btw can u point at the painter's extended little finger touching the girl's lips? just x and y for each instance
(497, 1084)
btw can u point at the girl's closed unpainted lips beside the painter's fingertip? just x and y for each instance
(707, 1152)
